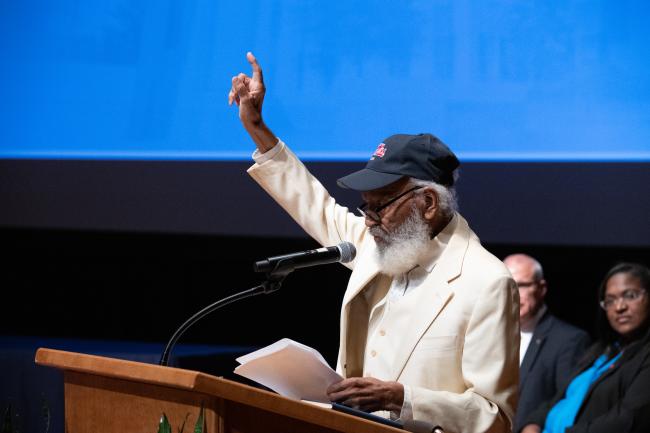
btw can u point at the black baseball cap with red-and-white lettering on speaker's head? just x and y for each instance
(421, 156)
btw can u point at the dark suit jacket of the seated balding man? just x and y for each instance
(548, 364)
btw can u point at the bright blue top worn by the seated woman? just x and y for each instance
(563, 414)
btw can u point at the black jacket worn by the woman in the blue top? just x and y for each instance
(619, 401)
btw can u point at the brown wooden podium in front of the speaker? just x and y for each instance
(116, 396)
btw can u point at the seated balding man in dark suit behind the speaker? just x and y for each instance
(549, 348)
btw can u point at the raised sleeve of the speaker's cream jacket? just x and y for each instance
(292, 186)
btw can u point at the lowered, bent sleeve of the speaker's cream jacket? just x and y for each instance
(490, 368)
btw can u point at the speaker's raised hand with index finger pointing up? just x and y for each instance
(248, 93)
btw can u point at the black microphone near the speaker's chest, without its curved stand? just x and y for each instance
(343, 253)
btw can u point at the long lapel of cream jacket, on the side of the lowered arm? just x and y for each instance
(435, 294)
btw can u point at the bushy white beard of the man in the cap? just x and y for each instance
(400, 250)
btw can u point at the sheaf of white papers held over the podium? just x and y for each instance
(290, 369)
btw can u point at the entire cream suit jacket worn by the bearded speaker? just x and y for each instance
(460, 353)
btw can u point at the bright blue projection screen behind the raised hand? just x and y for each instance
(497, 80)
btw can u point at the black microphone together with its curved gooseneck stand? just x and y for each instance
(276, 269)
